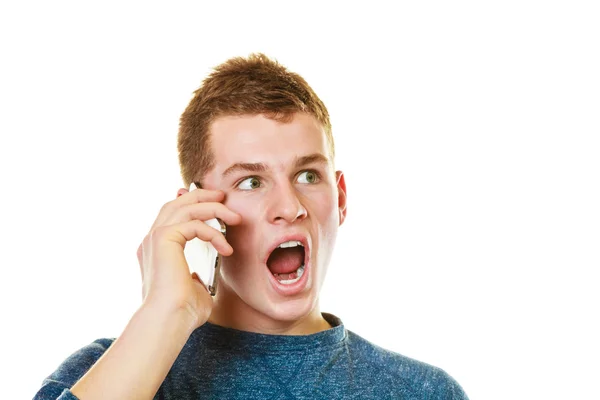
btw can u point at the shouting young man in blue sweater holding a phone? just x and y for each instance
(258, 140)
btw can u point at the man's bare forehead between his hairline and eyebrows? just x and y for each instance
(257, 139)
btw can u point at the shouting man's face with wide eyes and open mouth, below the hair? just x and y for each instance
(279, 177)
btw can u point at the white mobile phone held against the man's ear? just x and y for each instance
(202, 257)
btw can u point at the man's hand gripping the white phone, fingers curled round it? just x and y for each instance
(166, 280)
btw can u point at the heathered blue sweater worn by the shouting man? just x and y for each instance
(224, 363)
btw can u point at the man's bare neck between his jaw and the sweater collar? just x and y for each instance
(231, 312)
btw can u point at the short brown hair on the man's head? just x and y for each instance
(242, 86)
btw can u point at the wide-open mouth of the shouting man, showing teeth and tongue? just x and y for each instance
(287, 262)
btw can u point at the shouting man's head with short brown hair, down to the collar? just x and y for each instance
(260, 134)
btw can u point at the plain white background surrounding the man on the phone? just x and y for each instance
(468, 132)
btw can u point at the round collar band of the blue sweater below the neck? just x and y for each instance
(223, 338)
